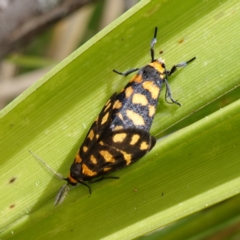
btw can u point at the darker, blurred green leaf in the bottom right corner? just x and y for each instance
(220, 221)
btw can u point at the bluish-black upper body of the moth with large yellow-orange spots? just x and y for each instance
(138, 101)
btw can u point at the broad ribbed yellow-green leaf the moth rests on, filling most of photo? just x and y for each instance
(189, 170)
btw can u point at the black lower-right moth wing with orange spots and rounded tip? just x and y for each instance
(118, 149)
